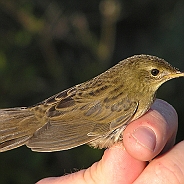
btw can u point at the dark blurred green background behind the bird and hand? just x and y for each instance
(47, 46)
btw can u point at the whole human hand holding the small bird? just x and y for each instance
(149, 138)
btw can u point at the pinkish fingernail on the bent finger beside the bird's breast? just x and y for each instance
(146, 137)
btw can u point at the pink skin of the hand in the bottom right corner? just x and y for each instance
(166, 169)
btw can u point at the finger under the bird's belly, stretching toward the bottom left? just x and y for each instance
(114, 167)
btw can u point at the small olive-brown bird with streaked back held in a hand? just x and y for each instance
(95, 112)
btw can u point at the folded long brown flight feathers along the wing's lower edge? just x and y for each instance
(60, 136)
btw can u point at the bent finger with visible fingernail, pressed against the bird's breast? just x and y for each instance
(147, 136)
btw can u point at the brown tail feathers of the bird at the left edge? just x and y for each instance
(17, 125)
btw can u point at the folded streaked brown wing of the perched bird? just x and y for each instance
(74, 118)
